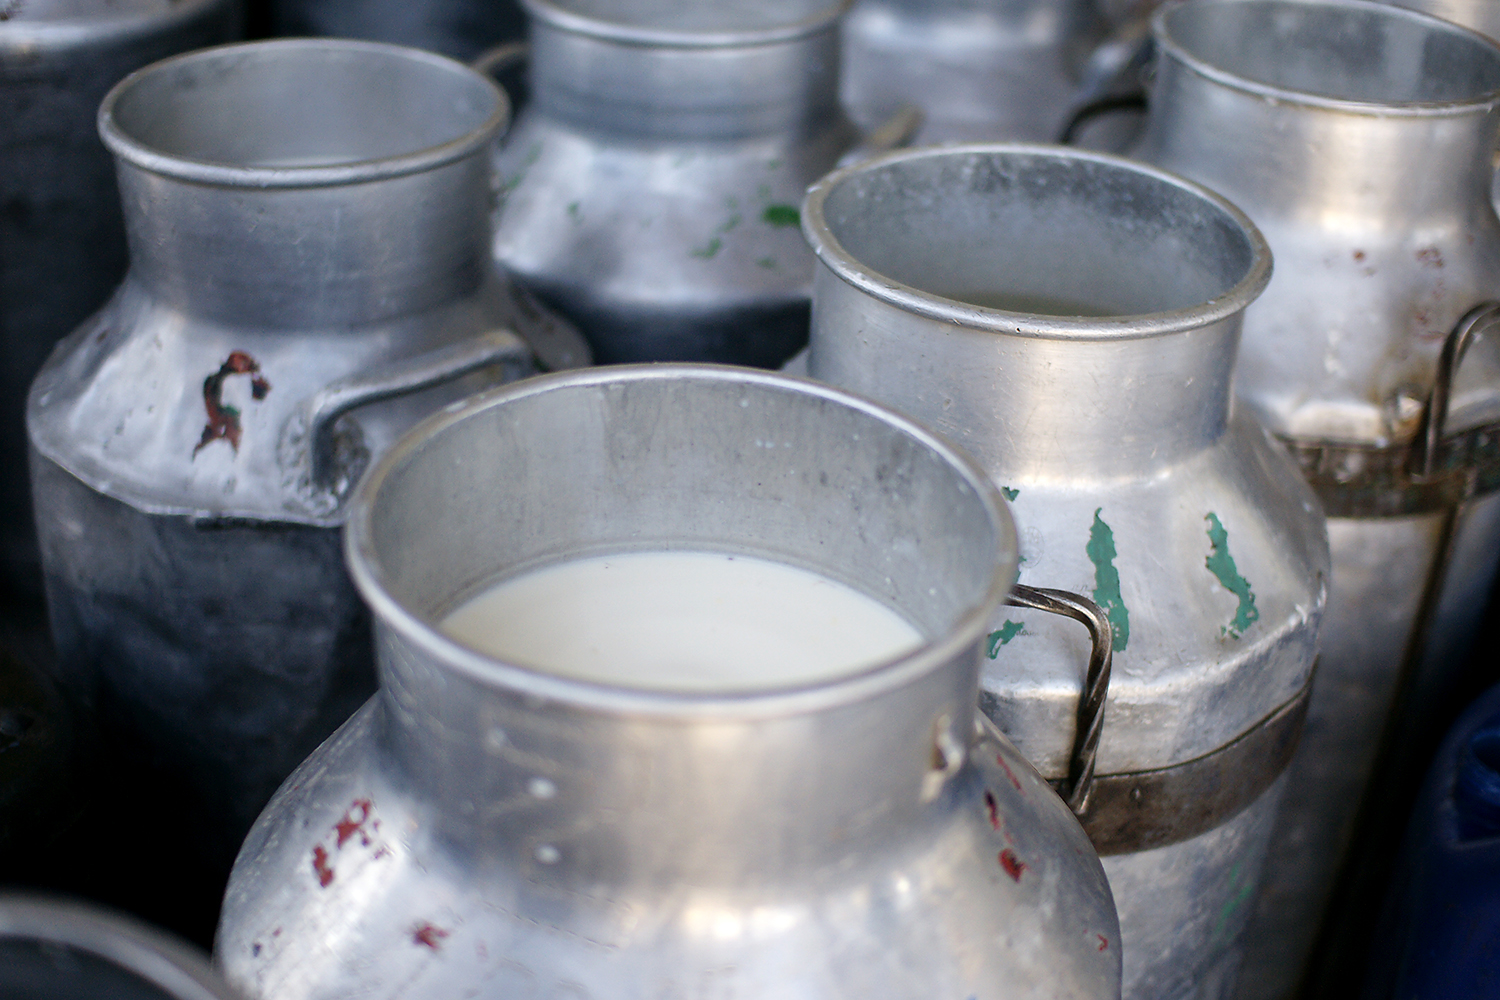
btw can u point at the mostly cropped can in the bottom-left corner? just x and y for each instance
(70, 951)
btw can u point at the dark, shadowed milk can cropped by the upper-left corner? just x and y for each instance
(62, 247)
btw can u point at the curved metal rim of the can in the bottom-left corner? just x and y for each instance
(116, 938)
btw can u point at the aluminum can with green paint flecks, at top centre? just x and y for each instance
(650, 190)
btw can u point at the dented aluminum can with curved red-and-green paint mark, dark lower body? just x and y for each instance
(310, 232)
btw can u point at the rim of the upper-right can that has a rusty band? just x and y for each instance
(1282, 95)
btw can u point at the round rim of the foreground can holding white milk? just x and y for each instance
(872, 681)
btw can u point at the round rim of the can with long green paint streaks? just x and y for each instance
(1126, 328)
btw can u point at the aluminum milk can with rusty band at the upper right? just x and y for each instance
(1358, 137)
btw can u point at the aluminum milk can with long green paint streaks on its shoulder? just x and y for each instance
(1072, 320)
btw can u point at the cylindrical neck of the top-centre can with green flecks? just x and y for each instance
(676, 91)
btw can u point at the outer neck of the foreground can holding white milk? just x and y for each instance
(727, 797)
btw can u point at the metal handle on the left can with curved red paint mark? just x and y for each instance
(322, 412)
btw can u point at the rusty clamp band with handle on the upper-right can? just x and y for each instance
(1429, 475)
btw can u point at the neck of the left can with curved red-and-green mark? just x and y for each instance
(307, 259)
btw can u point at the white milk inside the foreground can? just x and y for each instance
(682, 621)
